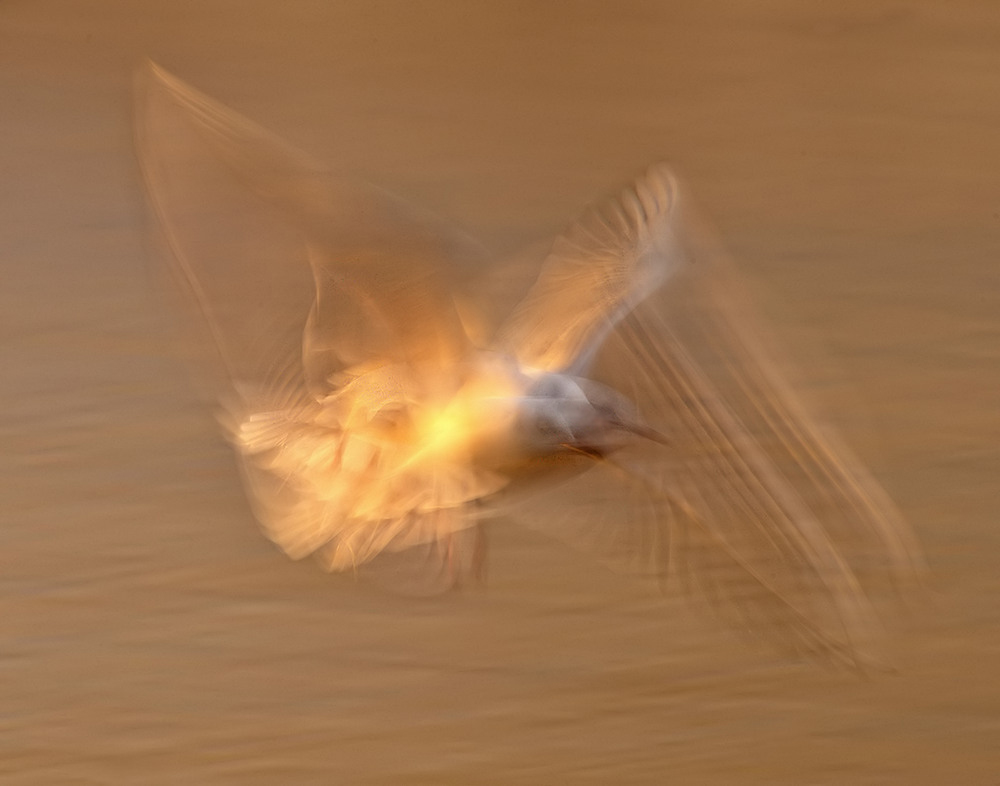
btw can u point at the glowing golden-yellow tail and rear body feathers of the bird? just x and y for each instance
(381, 464)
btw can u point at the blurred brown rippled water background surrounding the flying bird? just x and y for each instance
(846, 152)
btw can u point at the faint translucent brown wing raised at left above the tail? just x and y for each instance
(287, 264)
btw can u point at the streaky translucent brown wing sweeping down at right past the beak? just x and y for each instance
(751, 500)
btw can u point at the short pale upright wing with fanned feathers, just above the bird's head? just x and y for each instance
(615, 255)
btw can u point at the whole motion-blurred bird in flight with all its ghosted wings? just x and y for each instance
(388, 391)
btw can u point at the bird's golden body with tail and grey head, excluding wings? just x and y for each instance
(393, 447)
